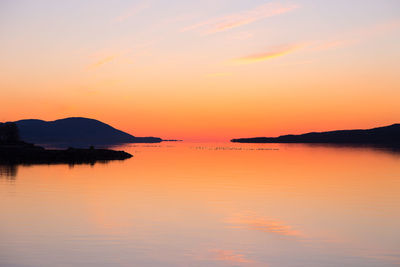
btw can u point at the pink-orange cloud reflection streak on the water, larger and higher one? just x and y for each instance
(263, 224)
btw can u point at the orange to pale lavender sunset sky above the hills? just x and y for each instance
(203, 70)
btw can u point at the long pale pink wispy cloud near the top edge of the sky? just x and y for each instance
(242, 18)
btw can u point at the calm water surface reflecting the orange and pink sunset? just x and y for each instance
(205, 204)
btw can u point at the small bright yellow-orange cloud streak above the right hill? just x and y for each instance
(272, 53)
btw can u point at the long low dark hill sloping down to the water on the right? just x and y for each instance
(381, 135)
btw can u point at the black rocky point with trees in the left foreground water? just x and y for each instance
(15, 151)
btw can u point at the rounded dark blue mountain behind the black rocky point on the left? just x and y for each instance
(75, 131)
